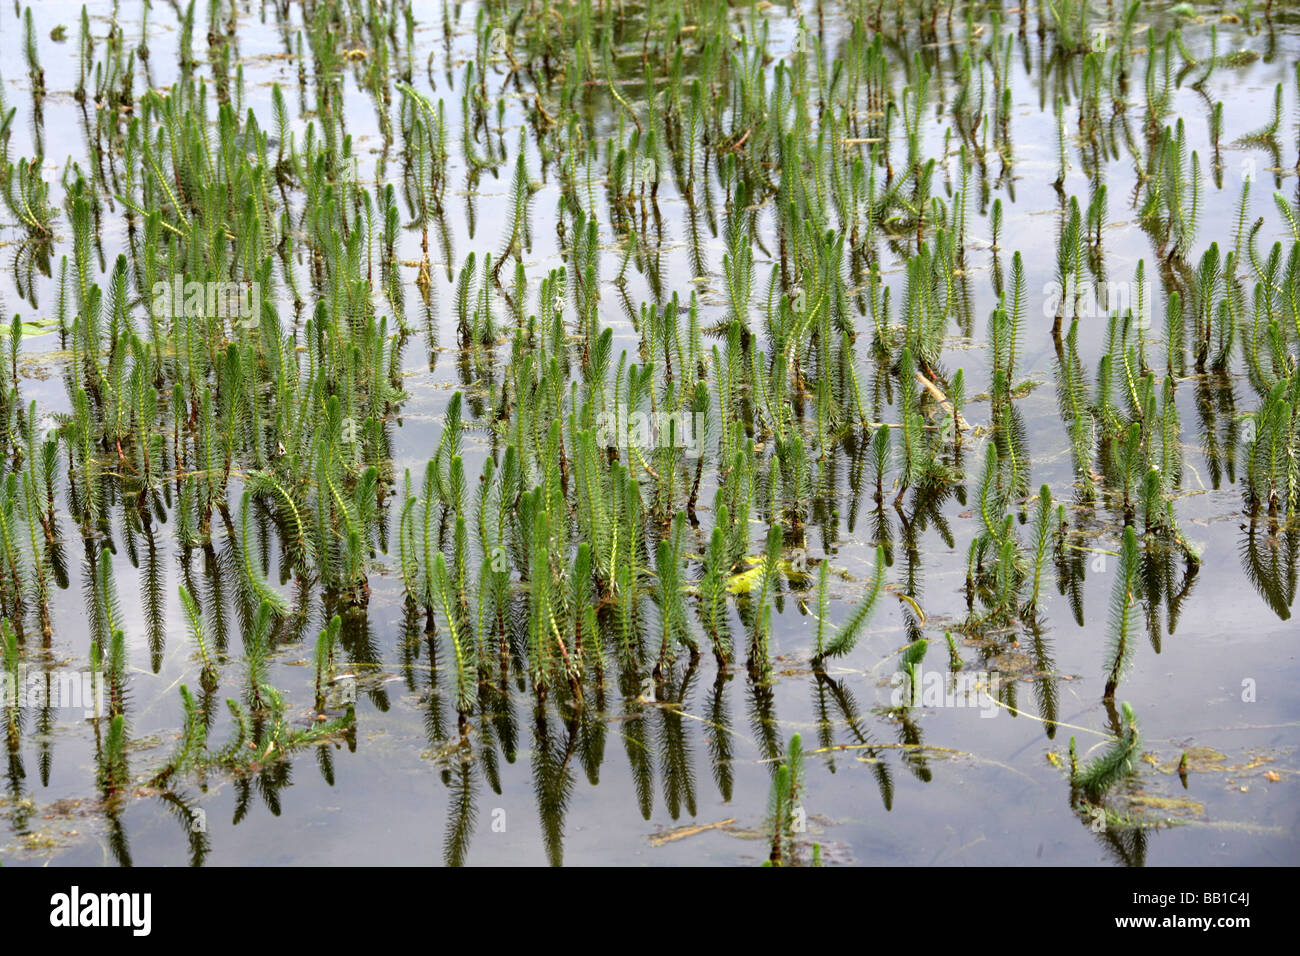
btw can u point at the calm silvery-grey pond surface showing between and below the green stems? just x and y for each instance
(679, 769)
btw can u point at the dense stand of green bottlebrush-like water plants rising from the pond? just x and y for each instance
(704, 275)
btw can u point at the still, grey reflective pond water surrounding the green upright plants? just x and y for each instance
(682, 775)
